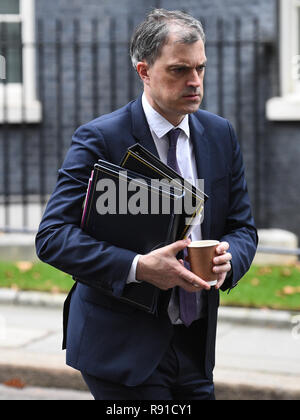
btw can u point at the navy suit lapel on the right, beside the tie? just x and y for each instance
(203, 162)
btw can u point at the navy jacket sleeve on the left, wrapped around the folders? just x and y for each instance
(60, 241)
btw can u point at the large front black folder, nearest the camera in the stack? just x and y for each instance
(141, 232)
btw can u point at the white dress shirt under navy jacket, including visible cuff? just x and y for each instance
(159, 127)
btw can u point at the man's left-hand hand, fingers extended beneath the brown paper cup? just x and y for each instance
(163, 270)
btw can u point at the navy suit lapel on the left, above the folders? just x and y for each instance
(140, 127)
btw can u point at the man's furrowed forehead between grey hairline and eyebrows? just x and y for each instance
(177, 51)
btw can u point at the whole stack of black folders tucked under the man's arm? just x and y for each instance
(136, 207)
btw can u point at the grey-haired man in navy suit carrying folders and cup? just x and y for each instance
(124, 352)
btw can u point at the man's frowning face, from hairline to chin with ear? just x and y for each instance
(174, 83)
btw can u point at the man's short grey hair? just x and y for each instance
(152, 34)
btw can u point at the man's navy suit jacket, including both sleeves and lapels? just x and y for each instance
(105, 337)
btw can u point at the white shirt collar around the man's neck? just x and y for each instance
(159, 124)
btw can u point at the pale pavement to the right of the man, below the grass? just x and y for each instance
(261, 356)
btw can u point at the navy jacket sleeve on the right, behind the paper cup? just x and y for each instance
(240, 231)
